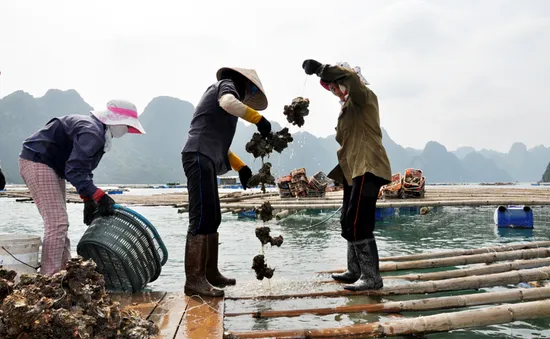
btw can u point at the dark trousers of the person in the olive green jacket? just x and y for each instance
(359, 207)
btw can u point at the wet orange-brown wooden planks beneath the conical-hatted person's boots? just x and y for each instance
(177, 315)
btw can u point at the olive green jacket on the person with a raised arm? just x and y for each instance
(358, 130)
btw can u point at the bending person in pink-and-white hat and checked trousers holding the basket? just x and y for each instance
(70, 148)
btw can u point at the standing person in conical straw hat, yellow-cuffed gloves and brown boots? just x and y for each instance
(238, 93)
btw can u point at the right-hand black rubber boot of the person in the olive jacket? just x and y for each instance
(370, 279)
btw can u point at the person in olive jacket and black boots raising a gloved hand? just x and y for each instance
(363, 167)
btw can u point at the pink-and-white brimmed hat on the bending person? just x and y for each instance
(120, 112)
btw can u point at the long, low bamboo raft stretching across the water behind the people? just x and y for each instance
(459, 196)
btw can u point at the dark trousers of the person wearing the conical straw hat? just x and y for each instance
(202, 187)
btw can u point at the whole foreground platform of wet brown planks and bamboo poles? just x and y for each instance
(461, 272)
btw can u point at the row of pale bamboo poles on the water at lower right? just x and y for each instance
(504, 265)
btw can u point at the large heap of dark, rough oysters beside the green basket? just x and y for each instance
(70, 304)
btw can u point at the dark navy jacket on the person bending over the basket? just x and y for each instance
(72, 146)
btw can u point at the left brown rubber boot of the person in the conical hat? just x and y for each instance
(195, 267)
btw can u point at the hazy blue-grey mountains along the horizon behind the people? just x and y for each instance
(155, 157)
